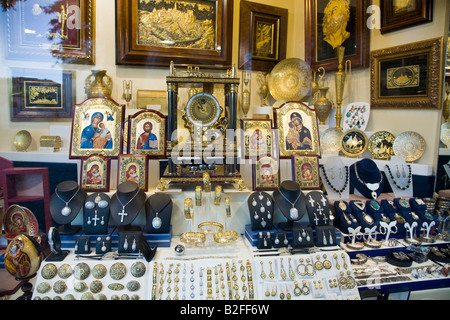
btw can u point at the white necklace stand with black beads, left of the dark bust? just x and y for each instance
(336, 178)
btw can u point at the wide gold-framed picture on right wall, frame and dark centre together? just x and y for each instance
(408, 76)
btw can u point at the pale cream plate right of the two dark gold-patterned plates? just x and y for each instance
(410, 145)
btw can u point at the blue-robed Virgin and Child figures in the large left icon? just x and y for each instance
(96, 135)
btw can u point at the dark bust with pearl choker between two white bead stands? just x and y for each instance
(366, 178)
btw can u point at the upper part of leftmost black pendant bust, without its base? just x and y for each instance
(66, 202)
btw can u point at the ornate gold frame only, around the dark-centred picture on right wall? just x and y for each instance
(432, 99)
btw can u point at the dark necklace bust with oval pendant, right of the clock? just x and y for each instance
(292, 203)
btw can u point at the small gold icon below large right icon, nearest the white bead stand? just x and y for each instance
(305, 171)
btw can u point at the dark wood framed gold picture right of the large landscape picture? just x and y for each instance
(262, 36)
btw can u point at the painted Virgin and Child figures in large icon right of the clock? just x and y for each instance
(298, 136)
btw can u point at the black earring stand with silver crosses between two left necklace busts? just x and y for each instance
(96, 220)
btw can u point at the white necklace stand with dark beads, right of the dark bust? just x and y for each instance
(399, 176)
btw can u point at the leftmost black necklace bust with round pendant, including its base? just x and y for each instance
(66, 190)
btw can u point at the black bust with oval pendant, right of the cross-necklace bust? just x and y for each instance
(161, 204)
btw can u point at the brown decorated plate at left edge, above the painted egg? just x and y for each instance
(20, 220)
